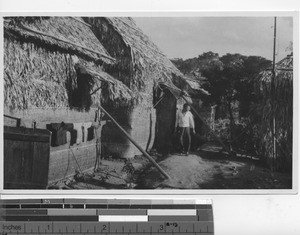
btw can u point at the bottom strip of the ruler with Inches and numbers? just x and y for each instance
(122, 228)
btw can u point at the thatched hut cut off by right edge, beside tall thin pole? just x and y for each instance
(283, 110)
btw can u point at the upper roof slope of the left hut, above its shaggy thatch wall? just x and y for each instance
(70, 34)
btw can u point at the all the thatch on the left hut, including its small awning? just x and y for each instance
(38, 62)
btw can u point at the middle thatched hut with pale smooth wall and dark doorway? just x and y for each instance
(150, 118)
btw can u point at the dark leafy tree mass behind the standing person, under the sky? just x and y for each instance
(230, 78)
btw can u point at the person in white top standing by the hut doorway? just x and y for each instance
(184, 124)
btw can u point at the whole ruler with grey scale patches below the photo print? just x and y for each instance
(110, 217)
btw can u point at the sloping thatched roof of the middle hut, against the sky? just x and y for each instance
(146, 53)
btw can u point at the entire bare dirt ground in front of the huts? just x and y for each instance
(204, 169)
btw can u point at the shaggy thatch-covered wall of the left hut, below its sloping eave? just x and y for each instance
(35, 77)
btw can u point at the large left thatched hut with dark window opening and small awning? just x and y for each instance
(53, 72)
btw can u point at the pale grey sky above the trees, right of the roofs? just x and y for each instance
(188, 37)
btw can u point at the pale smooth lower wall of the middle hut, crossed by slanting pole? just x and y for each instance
(138, 122)
